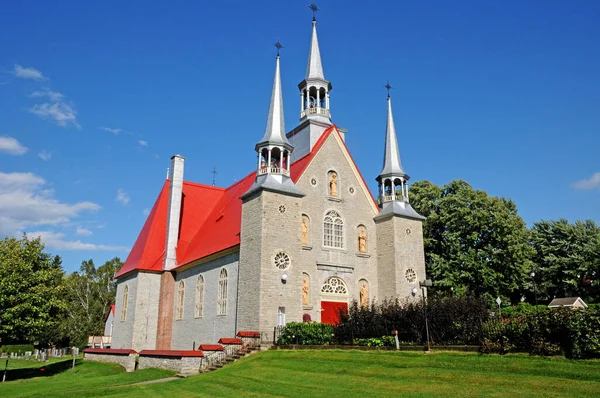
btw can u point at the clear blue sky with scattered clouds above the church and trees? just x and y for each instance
(96, 96)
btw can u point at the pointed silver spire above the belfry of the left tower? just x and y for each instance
(275, 130)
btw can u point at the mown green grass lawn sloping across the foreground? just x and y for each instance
(339, 373)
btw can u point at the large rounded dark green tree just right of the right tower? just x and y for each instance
(474, 244)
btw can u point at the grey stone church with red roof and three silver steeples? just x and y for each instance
(299, 237)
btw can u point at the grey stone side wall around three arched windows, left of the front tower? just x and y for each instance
(210, 327)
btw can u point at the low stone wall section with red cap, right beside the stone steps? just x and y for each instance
(187, 362)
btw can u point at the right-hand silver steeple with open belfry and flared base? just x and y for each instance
(393, 181)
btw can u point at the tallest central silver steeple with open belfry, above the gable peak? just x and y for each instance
(314, 89)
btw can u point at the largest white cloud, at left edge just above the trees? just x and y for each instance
(25, 201)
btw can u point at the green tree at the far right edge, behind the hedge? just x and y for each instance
(567, 258)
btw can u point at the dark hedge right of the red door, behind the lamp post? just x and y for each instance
(453, 320)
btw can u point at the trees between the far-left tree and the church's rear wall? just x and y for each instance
(90, 293)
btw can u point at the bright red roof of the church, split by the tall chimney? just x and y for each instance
(210, 222)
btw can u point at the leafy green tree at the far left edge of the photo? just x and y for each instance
(31, 291)
